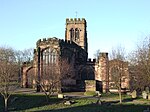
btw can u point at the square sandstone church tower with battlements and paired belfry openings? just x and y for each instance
(76, 32)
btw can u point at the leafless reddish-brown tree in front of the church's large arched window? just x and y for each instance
(53, 76)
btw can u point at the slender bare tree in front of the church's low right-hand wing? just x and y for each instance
(118, 54)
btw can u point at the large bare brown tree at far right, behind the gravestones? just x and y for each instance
(140, 63)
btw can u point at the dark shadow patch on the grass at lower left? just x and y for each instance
(21, 102)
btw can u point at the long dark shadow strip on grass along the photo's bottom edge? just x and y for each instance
(102, 108)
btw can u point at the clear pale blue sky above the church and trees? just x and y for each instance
(109, 22)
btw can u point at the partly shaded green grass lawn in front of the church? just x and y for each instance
(34, 103)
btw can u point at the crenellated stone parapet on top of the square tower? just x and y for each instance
(75, 20)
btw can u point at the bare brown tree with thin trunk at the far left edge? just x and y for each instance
(8, 74)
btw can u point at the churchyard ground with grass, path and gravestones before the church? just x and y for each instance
(76, 102)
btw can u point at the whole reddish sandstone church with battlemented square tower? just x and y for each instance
(86, 74)
